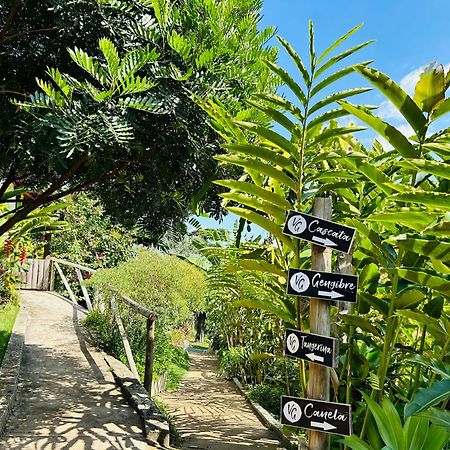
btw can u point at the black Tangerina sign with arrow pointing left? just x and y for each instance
(311, 347)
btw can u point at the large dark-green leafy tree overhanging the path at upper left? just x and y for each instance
(167, 155)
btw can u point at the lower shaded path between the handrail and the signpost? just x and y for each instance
(210, 413)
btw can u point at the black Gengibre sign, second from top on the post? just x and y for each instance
(324, 285)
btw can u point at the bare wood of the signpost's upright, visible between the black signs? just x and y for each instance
(319, 314)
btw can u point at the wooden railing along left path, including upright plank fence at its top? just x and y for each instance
(41, 275)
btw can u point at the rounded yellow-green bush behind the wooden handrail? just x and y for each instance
(164, 283)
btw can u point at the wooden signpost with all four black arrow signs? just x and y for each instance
(317, 413)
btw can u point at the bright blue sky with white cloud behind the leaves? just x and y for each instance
(408, 34)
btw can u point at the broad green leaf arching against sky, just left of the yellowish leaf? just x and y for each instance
(399, 98)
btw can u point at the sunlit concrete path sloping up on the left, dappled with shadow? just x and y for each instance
(67, 398)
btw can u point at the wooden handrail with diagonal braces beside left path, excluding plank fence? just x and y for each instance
(147, 313)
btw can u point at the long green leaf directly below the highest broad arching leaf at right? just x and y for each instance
(388, 132)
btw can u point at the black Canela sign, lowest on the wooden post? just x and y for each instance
(316, 415)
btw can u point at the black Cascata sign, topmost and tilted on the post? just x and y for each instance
(319, 231)
